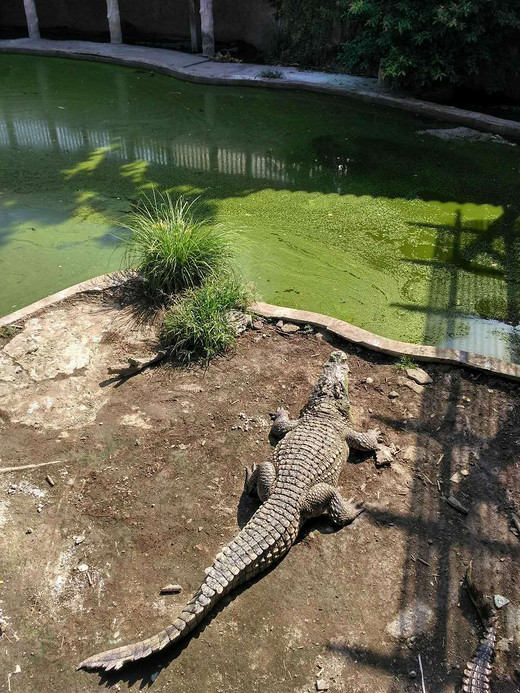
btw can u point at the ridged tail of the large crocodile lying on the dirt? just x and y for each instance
(265, 538)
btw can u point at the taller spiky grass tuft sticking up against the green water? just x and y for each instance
(172, 247)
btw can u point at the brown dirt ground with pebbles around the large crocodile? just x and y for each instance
(151, 475)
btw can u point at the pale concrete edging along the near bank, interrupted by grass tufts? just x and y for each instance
(339, 328)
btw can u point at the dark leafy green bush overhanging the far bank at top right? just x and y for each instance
(420, 44)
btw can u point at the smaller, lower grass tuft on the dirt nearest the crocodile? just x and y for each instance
(198, 325)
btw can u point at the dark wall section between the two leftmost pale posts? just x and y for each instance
(86, 20)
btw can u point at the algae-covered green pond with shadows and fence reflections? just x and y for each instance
(338, 207)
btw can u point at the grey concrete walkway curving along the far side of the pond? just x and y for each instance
(195, 68)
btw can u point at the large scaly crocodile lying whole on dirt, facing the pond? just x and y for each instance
(298, 482)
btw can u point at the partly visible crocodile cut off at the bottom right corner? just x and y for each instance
(478, 671)
